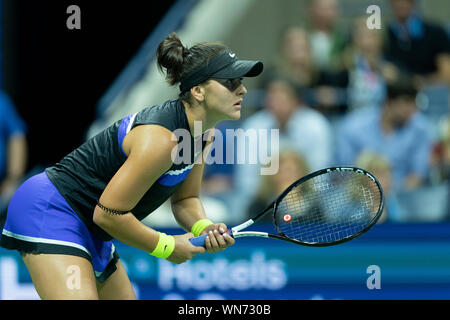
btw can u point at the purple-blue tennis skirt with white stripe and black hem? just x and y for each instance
(39, 220)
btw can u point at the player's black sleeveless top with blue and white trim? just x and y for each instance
(82, 175)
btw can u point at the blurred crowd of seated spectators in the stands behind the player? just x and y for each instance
(339, 96)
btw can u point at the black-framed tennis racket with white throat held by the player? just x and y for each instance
(324, 208)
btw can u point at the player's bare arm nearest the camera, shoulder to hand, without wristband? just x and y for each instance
(149, 150)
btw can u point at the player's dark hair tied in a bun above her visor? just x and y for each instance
(178, 61)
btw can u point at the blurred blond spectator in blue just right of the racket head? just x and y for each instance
(379, 166)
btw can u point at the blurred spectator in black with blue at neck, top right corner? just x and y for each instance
(417, 47)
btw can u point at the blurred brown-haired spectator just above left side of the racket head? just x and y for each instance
(292, 166)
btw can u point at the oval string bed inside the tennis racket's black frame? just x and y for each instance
(328, 207)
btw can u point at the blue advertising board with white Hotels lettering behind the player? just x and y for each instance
(391, 261)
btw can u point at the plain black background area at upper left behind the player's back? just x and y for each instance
(56, 76)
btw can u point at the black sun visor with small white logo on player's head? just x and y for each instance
(223, 66)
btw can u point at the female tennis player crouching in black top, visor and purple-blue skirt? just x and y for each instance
(63, 219)
